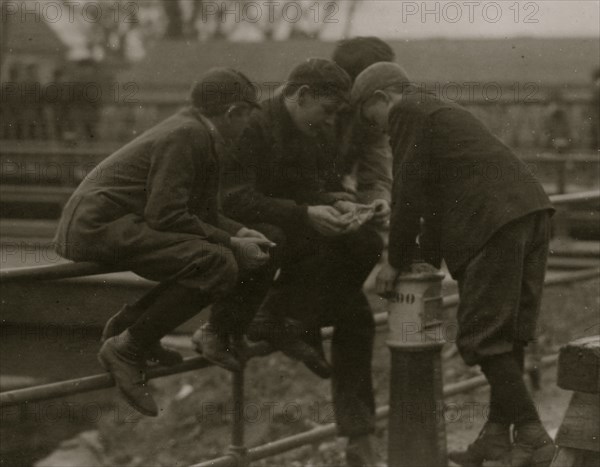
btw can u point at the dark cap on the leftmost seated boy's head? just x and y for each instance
(221, 87)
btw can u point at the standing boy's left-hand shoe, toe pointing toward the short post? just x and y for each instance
(492, 444)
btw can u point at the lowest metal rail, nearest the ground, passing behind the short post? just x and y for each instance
(327, 431)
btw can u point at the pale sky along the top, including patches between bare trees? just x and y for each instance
(389, 19)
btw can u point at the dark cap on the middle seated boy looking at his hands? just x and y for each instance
(322, 76)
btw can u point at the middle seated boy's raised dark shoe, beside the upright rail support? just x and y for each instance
(285, 337)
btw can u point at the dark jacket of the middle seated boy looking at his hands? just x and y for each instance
(276, 171)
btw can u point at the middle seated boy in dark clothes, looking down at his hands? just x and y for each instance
(283, 173)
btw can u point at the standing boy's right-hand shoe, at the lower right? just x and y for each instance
(532, 447)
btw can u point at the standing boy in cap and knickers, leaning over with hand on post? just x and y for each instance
(485, 214)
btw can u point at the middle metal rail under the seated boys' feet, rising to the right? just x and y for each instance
(105, 381)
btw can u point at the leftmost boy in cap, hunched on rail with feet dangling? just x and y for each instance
(152, 207)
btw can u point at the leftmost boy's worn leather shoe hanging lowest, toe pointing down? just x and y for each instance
(123, 358)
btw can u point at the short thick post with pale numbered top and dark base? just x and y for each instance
(416, 430)
